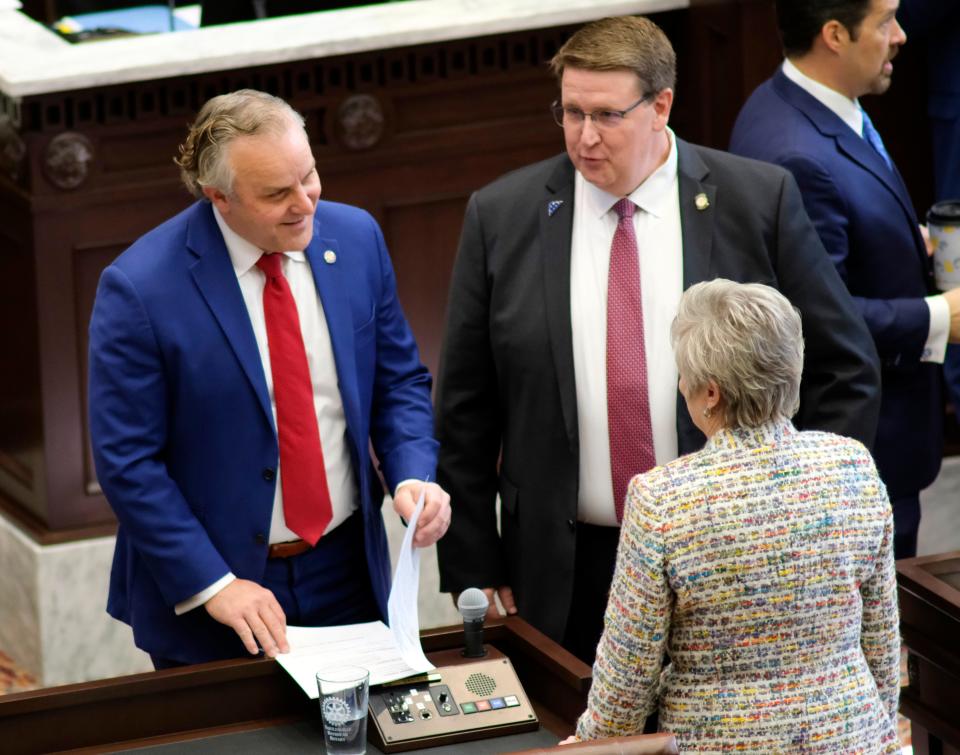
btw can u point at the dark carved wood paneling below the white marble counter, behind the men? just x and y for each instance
(452, 117)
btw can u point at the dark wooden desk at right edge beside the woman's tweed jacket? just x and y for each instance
(929, 594)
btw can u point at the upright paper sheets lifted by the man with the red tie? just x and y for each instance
(402, 604)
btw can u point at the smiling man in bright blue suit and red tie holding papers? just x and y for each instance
(241, 509)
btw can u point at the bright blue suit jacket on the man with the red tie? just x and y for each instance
(183, 434)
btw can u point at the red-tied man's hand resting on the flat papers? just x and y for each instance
(254, 614)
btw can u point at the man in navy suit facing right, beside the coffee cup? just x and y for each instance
(807, 118)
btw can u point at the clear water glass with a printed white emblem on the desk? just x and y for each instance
(344, 694)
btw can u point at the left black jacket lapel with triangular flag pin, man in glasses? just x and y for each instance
(555, 213)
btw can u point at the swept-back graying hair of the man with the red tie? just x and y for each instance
(222, 119)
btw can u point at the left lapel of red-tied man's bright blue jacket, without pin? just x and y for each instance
(215, 277)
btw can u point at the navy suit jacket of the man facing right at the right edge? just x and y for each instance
(867, 223)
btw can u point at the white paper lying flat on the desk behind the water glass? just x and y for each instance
(369, 645)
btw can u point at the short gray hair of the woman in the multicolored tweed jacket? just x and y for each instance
(748, 339)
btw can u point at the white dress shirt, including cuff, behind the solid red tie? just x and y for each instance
(323, 375)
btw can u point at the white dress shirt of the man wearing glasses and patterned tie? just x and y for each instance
(660, 248)
